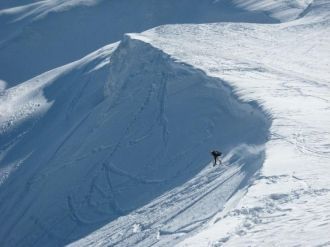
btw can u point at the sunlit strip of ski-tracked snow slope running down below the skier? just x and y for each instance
(166, 217)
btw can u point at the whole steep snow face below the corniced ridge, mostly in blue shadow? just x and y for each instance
(92, 157)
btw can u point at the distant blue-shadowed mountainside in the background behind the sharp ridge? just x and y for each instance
(38, 37)
